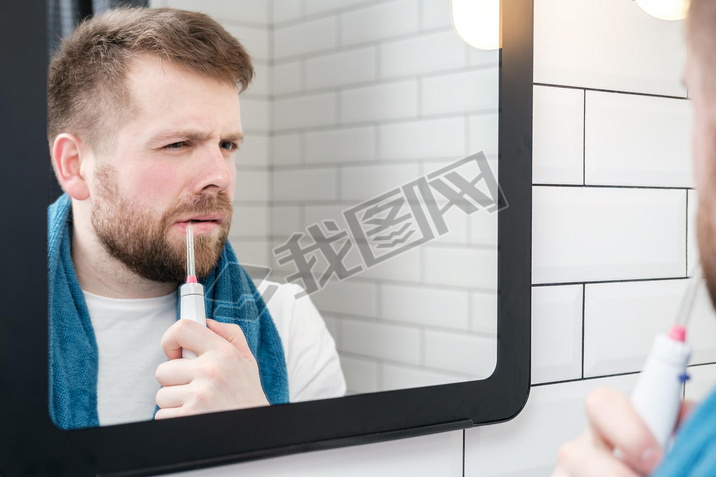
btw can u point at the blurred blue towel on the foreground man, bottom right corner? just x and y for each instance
(694, 451)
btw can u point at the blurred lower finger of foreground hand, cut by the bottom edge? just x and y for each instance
(599, 462)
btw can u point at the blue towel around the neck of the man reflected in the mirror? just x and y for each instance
(231, 297)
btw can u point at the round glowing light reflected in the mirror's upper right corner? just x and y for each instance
(477, 22)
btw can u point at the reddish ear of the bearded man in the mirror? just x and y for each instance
(68, 154)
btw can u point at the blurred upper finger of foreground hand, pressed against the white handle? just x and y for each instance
(615, 421)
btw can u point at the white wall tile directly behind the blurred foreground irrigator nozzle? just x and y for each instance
(621, 320)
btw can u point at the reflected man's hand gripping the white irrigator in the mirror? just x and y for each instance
(223, 376)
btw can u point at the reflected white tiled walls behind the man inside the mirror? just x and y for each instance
(356, 106)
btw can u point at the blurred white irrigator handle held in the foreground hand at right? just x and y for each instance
(658, 392)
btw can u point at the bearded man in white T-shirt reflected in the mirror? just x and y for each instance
(143, 125)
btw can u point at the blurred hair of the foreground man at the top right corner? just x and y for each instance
(701, 32)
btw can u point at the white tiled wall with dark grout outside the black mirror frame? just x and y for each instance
(612, 242)
